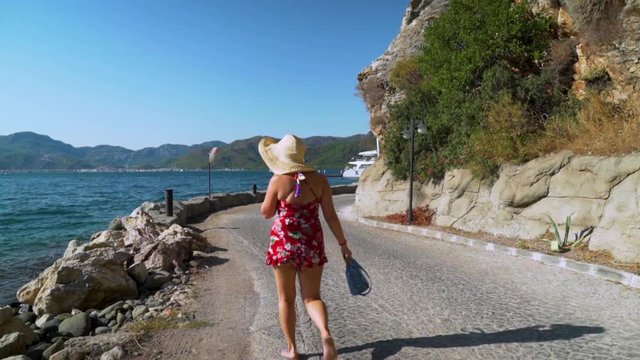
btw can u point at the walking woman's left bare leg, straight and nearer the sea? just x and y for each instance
(286, 285)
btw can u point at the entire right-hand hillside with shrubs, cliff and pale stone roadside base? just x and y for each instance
(532, 114)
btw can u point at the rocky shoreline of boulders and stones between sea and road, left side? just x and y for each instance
(138, 270)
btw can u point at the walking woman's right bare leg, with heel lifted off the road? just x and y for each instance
(310, 280)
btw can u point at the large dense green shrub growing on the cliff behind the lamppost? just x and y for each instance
(477, 56)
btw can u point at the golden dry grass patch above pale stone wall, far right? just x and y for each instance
(600, 128)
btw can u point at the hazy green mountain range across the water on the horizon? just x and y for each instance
(31, 151)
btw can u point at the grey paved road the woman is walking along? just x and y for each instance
(436, 300)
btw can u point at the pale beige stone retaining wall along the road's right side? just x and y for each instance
(603, 192)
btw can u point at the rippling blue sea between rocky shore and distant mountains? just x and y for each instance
(40, 212)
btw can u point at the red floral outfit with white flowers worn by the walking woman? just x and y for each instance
(296, 236)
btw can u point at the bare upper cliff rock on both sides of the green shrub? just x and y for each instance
(606, 33)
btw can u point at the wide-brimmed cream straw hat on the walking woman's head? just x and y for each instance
(284, 156)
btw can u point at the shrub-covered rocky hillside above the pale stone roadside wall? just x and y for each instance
(505, 81)
